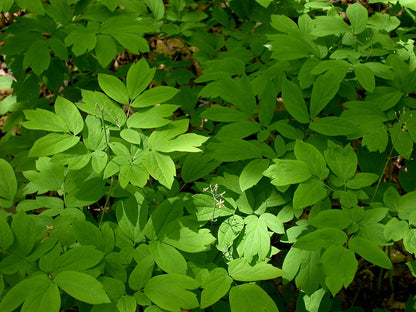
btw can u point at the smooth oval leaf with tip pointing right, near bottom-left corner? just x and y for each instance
(82, 287)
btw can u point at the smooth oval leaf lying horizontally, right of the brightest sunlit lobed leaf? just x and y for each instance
(321, 238)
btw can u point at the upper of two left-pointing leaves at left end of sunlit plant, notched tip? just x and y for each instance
(41, 119)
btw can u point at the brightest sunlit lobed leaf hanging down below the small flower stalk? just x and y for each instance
(257, 239)
